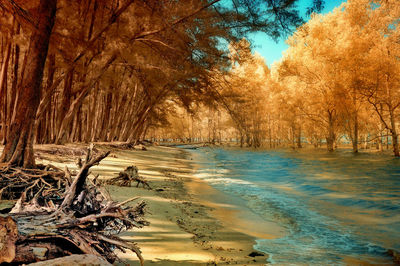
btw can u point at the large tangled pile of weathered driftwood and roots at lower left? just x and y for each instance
(60, 213)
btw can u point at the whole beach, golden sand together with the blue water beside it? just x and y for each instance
(219, 206)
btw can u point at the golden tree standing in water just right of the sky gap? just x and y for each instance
(317, 76)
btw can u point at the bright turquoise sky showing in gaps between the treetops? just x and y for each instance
(271, 50)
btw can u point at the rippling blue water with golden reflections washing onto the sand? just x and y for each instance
(338, 208)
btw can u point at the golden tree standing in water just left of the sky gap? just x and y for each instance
(245, 94)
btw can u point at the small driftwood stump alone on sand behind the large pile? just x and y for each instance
(129, 175)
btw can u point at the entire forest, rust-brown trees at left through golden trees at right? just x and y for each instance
(119, 71)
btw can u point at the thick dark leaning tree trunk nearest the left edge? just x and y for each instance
(19, 147)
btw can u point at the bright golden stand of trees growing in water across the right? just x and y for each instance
(337, 83)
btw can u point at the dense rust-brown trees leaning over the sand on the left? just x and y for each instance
(179, 41)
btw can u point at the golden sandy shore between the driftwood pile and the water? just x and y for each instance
(191, 223)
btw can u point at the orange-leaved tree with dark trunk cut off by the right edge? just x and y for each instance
(380, 80)
